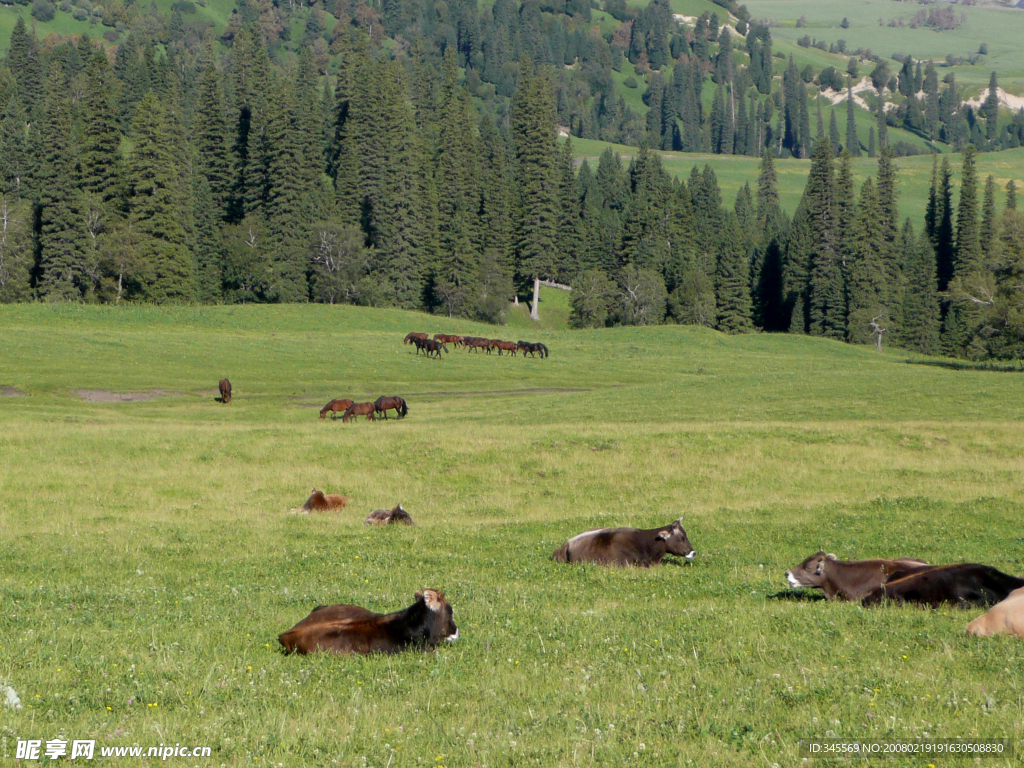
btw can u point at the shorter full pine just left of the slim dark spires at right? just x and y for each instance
(921, 302)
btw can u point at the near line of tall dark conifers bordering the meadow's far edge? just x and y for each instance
(130, 181)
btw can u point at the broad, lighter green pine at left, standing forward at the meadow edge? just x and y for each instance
(159, 204)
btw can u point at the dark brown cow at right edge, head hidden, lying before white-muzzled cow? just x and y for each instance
(967, 584)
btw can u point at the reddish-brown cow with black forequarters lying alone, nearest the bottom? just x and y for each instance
(350, 629)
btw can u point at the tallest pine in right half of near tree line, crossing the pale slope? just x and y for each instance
(828, 309)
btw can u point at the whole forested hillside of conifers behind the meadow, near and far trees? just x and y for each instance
(408, 155)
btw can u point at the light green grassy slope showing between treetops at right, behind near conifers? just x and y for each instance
(734, 172)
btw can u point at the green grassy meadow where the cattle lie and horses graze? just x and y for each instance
(148, 562)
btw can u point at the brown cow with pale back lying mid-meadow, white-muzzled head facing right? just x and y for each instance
(627, 546)
